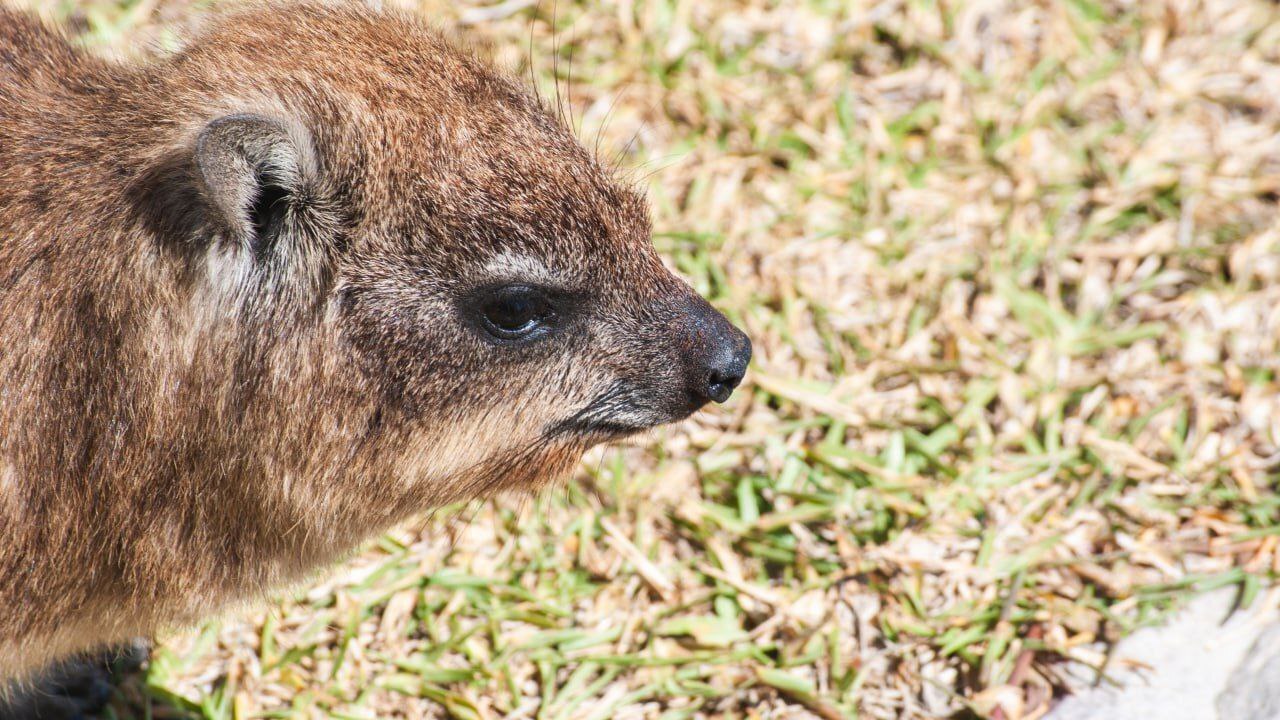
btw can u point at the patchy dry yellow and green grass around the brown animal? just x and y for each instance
(1013, 275)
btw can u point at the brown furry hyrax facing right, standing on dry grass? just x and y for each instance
(260, 299)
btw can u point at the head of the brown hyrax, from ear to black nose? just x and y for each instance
(482, 294)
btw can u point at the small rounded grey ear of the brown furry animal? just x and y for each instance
(255, 172)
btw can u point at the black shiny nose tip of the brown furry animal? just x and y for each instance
(719, 358)
